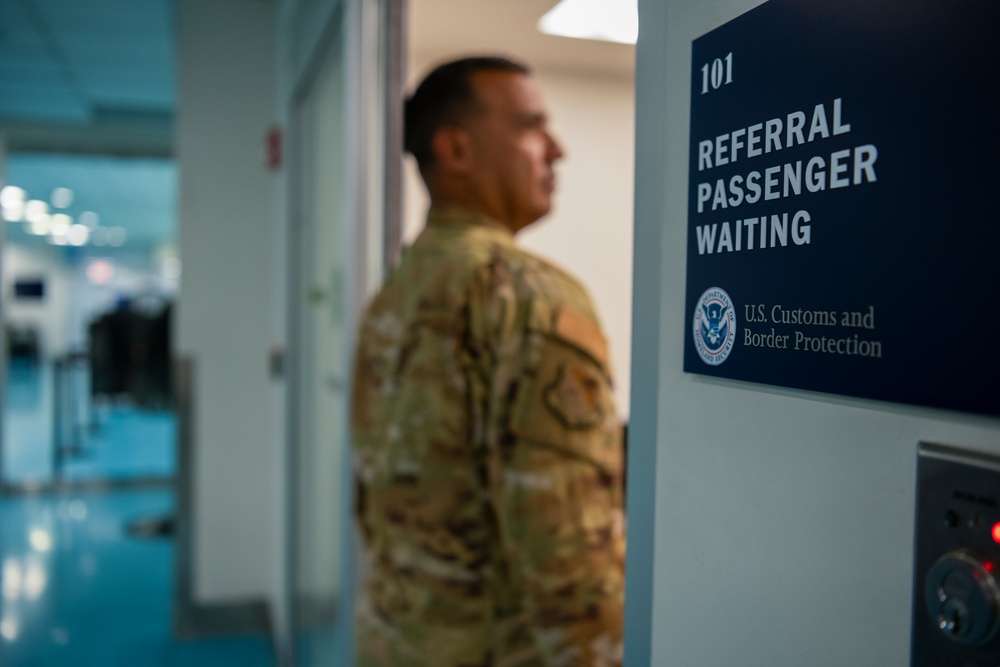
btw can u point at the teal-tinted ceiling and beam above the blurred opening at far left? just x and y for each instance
(100, 68)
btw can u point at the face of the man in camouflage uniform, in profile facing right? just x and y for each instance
(513, 151)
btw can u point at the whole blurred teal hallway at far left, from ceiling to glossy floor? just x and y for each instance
(90, 273)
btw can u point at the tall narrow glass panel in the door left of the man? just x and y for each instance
(320, 454)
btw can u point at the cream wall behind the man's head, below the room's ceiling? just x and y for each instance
(589, 231)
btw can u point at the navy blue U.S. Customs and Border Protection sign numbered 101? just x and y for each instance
(844, 200)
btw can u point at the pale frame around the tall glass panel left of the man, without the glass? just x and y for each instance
(370, 37)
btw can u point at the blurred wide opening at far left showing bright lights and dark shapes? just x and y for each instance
(90, 273)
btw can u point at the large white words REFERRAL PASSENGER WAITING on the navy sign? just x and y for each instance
(829, 171)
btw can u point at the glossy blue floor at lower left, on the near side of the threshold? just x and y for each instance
(79, 591)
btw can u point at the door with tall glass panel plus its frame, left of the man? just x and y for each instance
(343, 223)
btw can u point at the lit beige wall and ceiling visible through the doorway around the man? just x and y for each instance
(588, 86)
